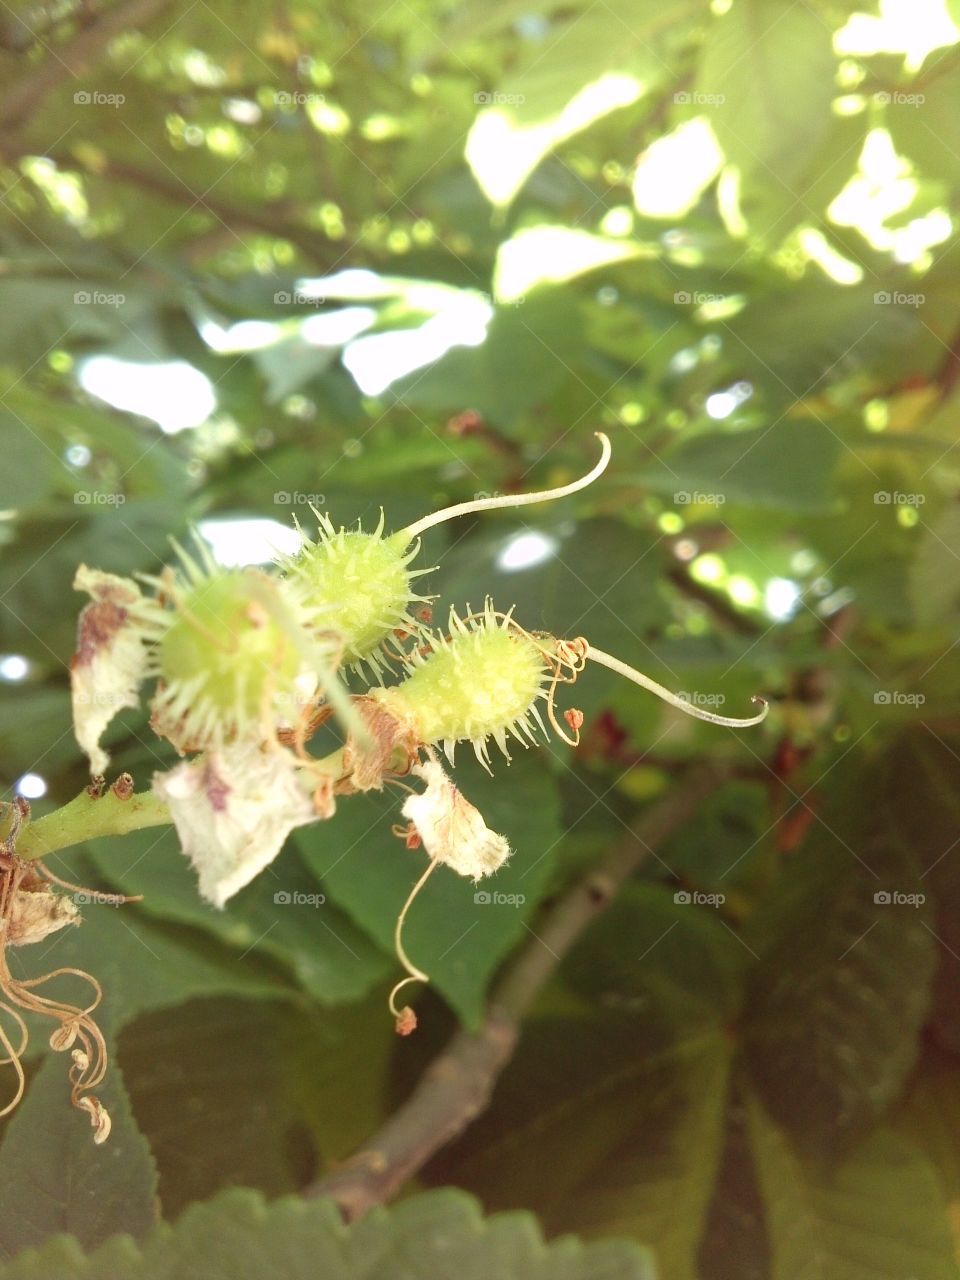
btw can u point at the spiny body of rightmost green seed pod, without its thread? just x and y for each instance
(482, 682)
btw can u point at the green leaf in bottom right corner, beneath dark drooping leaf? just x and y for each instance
(881, 1215)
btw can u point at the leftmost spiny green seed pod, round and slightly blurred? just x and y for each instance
(235, 659)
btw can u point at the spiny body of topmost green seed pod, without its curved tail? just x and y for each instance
(359, 588)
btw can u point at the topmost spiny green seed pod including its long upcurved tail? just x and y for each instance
(360, 586)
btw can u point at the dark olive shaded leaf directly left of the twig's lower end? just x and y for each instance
(313, 1089)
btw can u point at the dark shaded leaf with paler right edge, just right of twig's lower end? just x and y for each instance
(629, 1126)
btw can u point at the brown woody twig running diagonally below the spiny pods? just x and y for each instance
(458, 1085)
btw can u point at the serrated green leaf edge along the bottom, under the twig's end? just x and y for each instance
(239, 1237)
